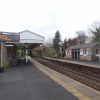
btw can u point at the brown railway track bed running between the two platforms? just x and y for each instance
(86, 76)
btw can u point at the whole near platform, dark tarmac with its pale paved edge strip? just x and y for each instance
(38, 82)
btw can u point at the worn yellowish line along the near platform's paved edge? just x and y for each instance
(65, 85)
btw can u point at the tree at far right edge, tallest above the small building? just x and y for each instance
(95, 32)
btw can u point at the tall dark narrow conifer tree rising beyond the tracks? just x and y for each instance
(56, 41)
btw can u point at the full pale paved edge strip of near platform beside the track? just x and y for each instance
(79, 90)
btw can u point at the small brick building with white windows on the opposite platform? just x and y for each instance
(88, 51)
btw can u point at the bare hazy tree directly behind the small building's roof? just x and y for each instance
(81, 37)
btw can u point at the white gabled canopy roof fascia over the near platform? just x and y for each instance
(22, 37)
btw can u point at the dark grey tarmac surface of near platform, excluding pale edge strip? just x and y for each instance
(29, 83)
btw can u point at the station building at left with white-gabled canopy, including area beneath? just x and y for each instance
(15, 46)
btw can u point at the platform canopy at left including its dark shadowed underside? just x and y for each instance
(23, 38)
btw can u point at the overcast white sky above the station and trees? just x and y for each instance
(45, 17)
